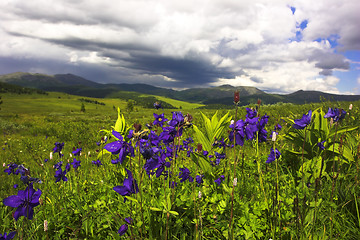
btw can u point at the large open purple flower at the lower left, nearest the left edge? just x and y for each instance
(24, 201)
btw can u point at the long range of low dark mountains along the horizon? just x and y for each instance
(221, 95)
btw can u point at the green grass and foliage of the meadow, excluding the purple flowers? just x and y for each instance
(91, 209)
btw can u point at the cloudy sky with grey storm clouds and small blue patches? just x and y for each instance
(278, 46)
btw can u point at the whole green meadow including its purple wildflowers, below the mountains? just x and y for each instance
(279, 171)
